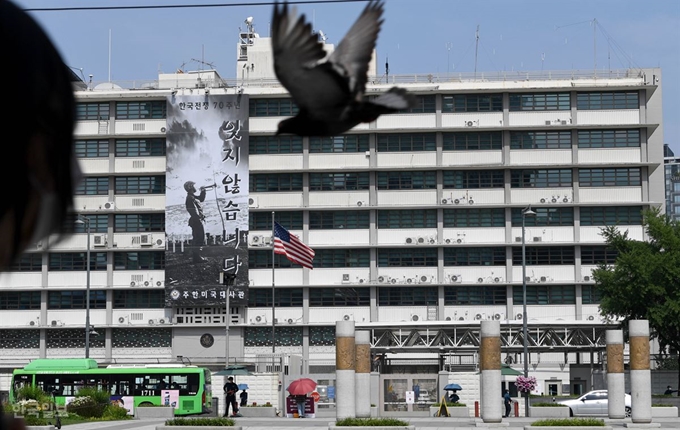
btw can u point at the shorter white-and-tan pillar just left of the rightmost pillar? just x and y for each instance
(615, 377)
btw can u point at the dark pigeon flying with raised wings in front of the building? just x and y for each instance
(330, 93)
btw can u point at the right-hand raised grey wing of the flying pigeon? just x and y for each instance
(356, 48)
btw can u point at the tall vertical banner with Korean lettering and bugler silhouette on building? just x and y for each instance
(206, 214)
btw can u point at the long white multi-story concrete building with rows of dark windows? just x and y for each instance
(416, 220)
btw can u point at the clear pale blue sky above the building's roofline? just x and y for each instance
(418, 37)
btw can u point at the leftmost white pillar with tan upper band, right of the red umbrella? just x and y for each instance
(345, 365)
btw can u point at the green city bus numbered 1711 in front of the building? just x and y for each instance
(187, 388)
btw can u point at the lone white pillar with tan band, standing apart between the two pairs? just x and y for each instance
(490, 366)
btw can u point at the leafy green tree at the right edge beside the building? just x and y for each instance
(644, 283)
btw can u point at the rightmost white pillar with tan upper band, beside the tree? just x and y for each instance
(640, 376)
